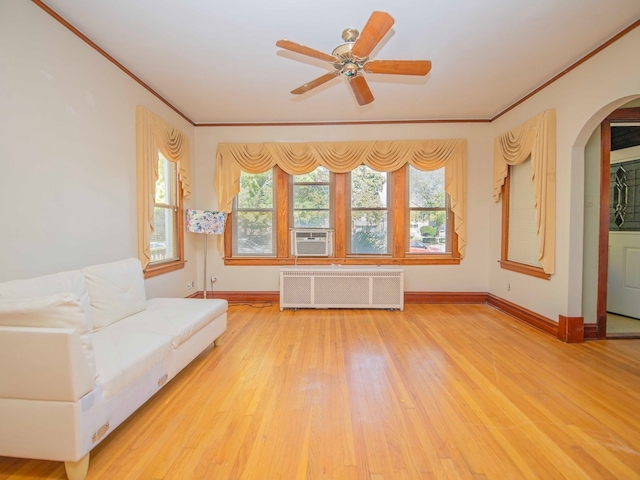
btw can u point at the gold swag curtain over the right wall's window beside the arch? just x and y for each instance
(535, 138)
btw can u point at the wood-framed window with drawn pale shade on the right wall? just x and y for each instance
(520, 239)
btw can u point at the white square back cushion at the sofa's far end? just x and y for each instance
(116, 290)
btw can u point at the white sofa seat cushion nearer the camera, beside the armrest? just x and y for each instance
(125, 354)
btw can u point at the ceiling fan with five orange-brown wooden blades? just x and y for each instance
(351, 58)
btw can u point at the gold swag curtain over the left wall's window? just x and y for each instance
(153, 134)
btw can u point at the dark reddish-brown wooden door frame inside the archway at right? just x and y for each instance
(619, 115)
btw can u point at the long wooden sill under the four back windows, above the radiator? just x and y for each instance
(360, 260)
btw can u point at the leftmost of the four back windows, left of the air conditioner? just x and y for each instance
(254, 219)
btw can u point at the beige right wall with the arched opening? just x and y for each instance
(582, 99)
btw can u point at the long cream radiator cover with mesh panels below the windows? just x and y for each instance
(342, 287)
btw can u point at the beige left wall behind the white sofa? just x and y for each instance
(67, 147)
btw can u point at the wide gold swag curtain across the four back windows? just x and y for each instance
(342, 157)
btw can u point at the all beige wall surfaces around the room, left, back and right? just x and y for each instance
(67, 147)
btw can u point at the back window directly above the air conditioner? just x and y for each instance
(312, 199)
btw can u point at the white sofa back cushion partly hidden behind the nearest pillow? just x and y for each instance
(64, 282)
